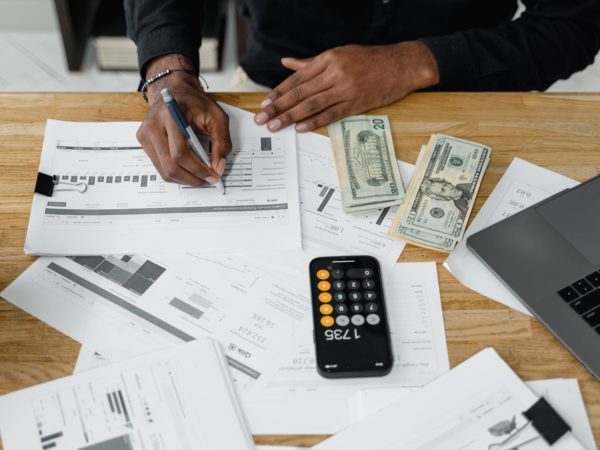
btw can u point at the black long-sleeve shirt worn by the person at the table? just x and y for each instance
(476, 43)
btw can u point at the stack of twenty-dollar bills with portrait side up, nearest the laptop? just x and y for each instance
(441, 193)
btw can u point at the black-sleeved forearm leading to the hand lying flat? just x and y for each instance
(551, 40)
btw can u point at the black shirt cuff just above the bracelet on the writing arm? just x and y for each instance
(168, 40)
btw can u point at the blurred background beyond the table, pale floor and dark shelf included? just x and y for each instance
(80, 45)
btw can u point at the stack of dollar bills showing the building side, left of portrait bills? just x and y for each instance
(366, 163)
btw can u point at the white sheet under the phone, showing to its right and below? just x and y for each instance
(315, 405)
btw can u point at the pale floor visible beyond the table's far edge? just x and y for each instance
(34, 61)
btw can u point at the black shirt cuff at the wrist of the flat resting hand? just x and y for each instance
(455, 66)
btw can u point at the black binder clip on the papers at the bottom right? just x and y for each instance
(549, 425)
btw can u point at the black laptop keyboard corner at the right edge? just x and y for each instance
(584, 297)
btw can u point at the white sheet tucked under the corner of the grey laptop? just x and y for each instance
(522, 185)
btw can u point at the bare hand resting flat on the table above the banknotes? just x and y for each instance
(344, 81)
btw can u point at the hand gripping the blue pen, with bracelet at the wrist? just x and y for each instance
(163, 141)
